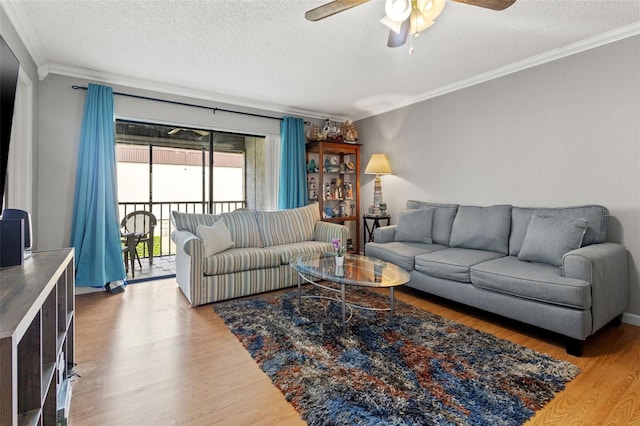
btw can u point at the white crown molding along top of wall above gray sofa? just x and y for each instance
(552, 55)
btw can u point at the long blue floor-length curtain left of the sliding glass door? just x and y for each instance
(95, 231)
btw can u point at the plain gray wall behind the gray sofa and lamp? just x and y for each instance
(563, 133)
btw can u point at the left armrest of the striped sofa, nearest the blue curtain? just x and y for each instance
(189, 265)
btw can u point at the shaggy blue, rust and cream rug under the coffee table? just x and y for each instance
(421, 369)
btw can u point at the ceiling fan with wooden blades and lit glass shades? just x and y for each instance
(403, 17)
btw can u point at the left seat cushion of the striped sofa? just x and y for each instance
(240, 259)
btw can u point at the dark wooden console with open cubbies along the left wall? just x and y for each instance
(37, 302)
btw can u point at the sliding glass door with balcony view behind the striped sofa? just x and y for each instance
(164, 168)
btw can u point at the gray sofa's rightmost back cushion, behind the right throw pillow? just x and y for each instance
(596, 217)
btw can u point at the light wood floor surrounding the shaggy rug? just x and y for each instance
(146, 358)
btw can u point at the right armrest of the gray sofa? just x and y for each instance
(605, 267)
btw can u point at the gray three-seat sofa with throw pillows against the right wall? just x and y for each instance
(548, 267)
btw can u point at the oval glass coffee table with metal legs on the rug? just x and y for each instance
(361, 271)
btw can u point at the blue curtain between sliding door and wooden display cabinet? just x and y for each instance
(292, 191)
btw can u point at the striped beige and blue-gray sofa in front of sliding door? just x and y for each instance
(258, 261)
